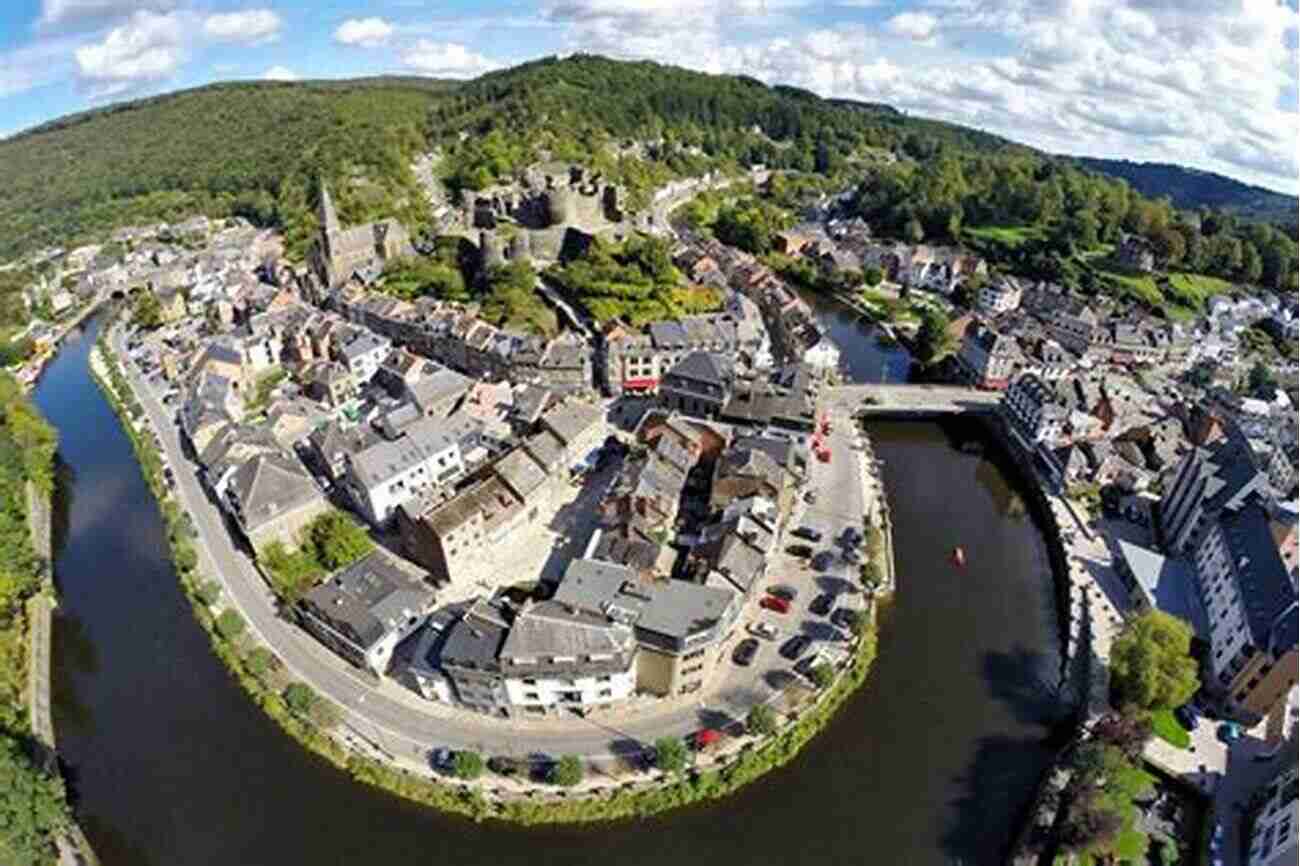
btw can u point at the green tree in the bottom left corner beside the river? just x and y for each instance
(33, 808)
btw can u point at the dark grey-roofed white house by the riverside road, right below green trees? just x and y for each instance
(366, 610)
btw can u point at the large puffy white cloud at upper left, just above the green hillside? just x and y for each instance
(148, 49)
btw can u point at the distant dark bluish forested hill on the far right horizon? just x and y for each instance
(1194, 189)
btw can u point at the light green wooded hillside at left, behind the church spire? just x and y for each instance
(252, 149)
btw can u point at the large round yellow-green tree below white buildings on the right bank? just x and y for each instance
(1151, 666)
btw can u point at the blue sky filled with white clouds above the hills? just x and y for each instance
(1206, 84)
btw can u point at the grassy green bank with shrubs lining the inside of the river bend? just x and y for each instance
(716, 776)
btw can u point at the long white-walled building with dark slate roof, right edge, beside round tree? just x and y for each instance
(1253, 608)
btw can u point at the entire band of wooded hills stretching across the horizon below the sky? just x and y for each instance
(258, 150)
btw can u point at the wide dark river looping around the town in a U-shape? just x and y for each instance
(933, 763)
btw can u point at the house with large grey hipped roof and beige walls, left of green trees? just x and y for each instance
(274, 499)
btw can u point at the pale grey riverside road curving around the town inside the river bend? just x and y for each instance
(405, 725)
